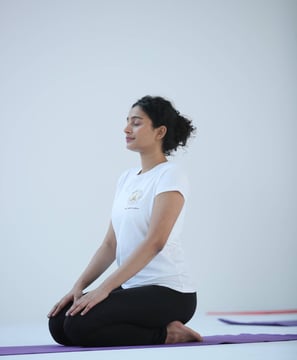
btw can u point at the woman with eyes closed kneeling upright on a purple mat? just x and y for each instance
(150, 297)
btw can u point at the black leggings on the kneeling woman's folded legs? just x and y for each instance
(136, 316)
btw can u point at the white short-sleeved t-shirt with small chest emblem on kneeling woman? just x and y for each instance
(131, 213)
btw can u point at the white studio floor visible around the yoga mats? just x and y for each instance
(207, 325)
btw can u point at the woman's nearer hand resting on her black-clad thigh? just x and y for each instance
(87, 302)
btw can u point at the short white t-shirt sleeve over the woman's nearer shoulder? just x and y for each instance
(173, 179)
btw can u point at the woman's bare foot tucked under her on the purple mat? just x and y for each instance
(179, 333)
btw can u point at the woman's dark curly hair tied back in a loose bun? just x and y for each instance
(162, 112)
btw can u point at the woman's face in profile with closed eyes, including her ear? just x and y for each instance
(140, 134)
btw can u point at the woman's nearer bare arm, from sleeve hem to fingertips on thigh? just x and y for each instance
(166, 209)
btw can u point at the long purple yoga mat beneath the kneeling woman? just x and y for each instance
(208, 340)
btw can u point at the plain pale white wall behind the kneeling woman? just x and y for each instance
(69, 72)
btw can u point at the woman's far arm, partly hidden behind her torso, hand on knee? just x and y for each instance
(102, 259)
